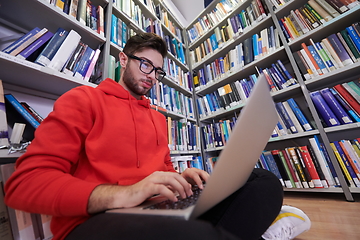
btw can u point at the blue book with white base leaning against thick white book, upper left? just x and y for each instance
(51, 48)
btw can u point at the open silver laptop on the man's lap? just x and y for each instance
(236, 161)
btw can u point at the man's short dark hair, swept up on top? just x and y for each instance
(145, 40)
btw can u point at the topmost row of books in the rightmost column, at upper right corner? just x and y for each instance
(312, 15)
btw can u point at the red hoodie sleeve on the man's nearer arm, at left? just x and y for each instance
(42, 182)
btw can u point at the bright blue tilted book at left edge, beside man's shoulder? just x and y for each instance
(15, 104)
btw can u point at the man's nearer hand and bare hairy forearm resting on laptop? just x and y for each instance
(166, 184)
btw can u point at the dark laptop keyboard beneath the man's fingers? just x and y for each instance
(180, 204)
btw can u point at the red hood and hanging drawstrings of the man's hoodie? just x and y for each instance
(111, 87)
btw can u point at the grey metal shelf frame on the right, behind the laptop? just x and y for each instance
(299, 91)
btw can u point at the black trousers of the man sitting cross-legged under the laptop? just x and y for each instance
(246, 214)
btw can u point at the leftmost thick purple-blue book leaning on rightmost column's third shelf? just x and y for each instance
(324, 110)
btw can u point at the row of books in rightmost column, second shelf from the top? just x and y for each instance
(333, 52)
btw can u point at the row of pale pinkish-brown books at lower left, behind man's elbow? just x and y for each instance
(16, 224)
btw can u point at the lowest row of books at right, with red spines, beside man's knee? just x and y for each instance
(309, 166)
